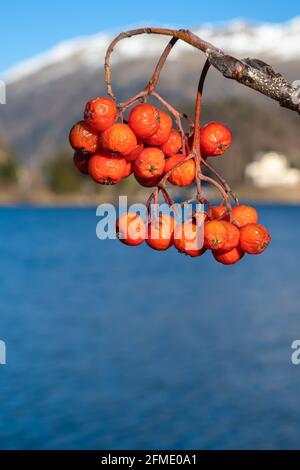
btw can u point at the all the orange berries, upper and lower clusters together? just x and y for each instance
(110, 149)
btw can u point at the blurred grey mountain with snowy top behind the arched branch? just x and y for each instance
(45, 94)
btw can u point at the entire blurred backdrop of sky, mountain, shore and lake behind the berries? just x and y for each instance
(113, 348)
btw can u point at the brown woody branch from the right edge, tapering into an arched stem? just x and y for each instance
(249, 72)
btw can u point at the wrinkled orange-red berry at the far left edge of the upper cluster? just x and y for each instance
(82, 137)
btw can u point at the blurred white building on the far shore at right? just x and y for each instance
(272, 169)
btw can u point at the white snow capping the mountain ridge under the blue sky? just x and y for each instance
(276, 41)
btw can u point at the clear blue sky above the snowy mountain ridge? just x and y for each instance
(28, 28)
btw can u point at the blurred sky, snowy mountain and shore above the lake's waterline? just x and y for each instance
(53, 64)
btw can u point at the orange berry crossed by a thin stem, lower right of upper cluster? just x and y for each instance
(184, 175)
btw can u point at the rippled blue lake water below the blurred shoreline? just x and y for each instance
(111, 347)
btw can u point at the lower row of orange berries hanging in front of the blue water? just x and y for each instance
(228, 241)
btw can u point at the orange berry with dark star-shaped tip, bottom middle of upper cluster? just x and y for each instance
(150, 163)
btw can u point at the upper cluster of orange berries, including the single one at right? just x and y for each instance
(147, 145)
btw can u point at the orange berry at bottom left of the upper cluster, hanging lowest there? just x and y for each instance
(105, 169)
